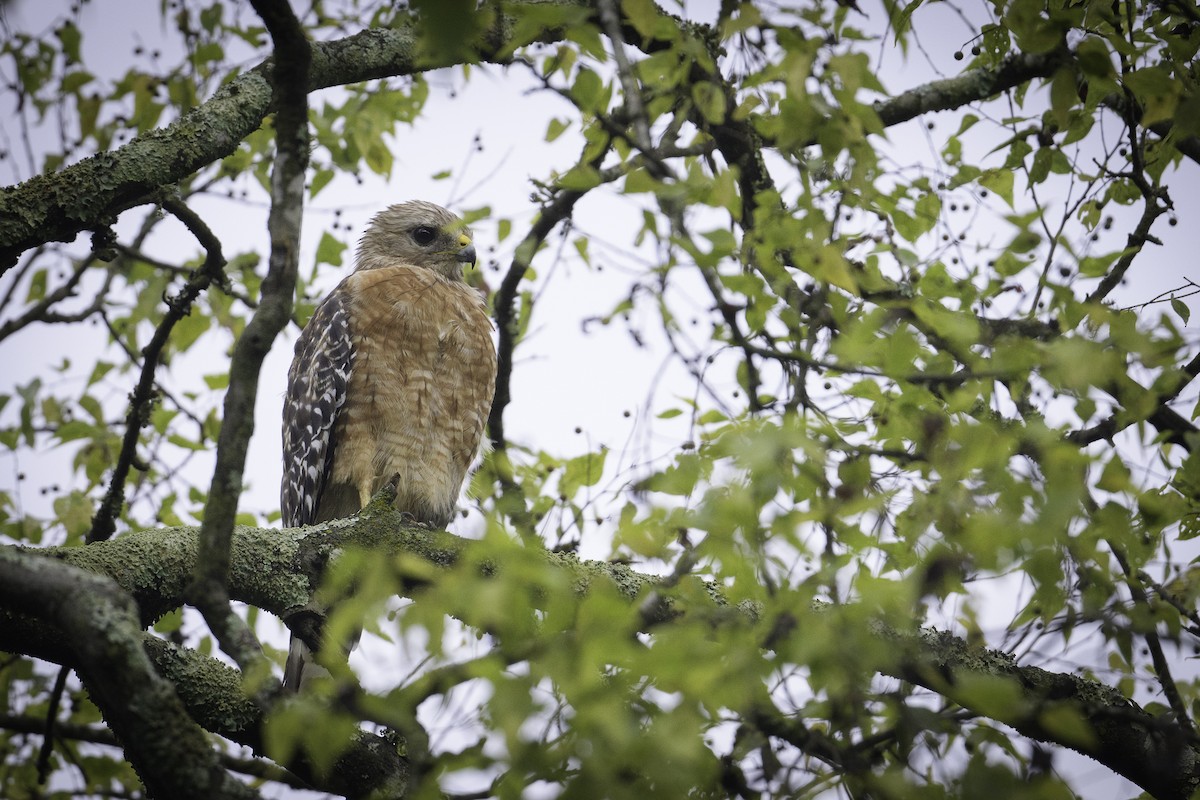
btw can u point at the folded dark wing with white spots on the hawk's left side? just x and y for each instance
(317, 383)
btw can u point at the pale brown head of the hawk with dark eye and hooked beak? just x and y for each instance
(421, 234)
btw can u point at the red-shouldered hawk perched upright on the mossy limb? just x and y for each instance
(394, 375)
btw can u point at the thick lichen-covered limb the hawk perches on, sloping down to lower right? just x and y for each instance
(277, 572)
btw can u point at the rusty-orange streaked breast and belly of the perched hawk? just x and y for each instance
(421, 388)
